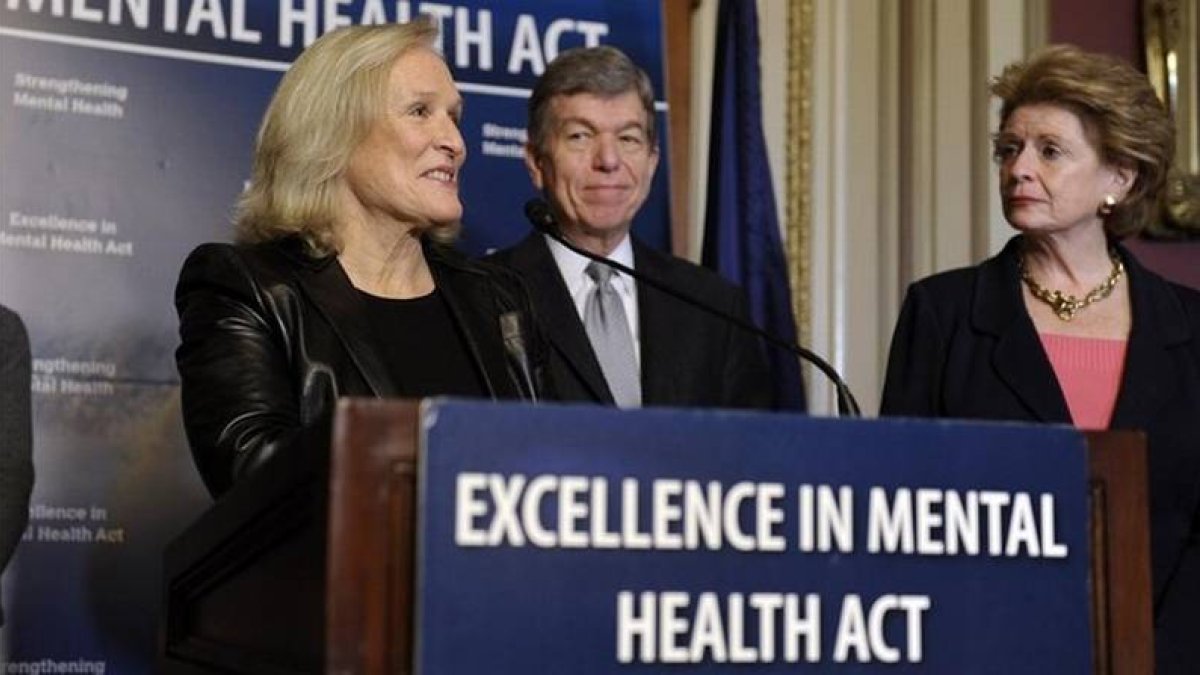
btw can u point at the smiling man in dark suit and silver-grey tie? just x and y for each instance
(592, 152)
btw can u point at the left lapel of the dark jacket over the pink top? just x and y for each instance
(1018, 359)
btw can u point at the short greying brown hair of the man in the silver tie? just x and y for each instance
(601, 71)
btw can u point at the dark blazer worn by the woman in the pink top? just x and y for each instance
(967, 348)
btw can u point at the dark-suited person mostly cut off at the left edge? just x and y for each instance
(16, 445)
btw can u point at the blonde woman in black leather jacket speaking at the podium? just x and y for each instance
(343, 282)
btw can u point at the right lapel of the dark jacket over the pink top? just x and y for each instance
(1159, 325)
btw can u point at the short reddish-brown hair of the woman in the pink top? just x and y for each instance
(1121, 115)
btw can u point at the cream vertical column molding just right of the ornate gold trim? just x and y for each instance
(855, 202)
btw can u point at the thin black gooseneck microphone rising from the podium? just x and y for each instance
(543, 220)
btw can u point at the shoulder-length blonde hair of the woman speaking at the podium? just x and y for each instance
(323, 109)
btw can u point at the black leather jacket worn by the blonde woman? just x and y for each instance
(272, 337)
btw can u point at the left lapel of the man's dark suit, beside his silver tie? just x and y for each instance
(556, 312)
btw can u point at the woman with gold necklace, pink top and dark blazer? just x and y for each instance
(1064, 325)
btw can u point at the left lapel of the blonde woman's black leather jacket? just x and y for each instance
(334, 296)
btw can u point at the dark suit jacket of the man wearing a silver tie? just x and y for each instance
(689, 357)
